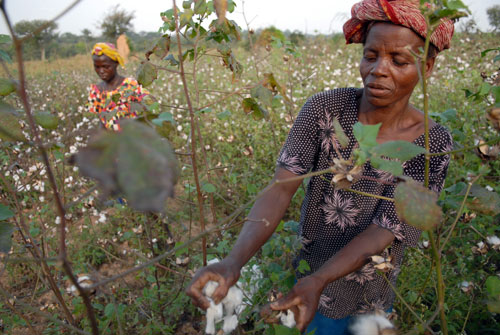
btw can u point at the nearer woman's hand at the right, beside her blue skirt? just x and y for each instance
(302, 300)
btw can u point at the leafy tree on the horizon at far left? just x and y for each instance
(40, 40)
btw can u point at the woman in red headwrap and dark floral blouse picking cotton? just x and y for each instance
(340, 230)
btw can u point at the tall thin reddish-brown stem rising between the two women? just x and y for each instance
(193, 135)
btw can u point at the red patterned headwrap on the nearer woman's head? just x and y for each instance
(401, 12)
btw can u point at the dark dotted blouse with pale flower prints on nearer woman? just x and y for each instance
(330, 217)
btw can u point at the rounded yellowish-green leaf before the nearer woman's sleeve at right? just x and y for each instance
(416, 205)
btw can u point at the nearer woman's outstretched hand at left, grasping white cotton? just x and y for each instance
(225, 272)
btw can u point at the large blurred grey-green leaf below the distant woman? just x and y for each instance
(136, 163)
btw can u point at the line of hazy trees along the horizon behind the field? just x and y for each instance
(47, 43)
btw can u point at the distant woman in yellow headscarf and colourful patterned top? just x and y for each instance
(111, 99)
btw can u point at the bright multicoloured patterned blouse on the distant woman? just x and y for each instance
(111, 106)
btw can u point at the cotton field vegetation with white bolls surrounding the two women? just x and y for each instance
(226, 110)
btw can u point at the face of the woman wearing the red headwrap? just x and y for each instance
(388, 67)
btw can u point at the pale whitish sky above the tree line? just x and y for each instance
(312, 16)
